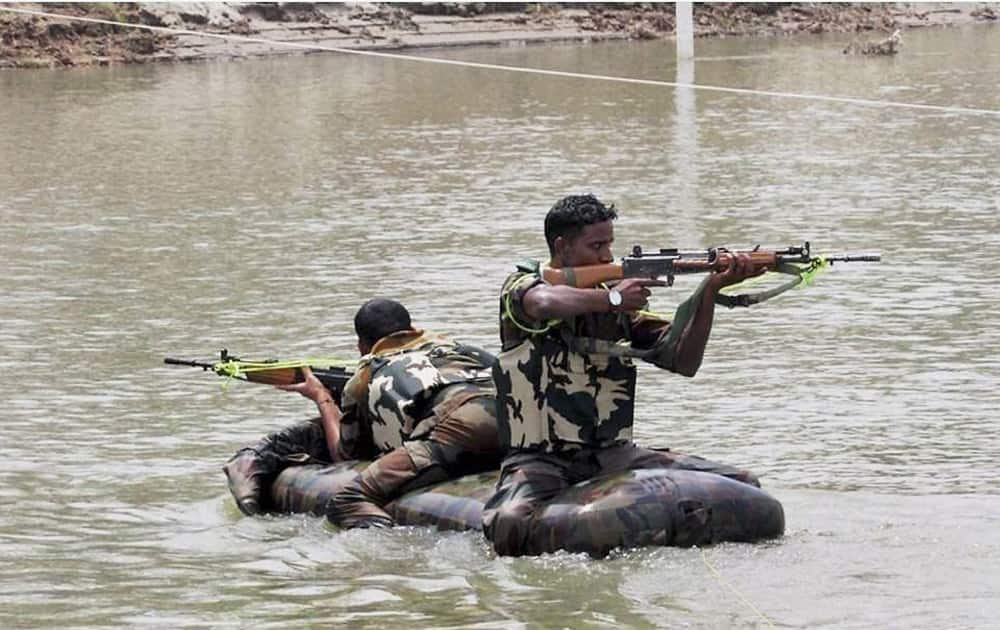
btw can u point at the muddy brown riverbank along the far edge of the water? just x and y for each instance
(258, 29)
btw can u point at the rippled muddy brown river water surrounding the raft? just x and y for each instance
(176, 210)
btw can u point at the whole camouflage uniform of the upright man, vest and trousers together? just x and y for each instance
(565, 402)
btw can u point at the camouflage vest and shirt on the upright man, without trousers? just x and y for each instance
(551, 395)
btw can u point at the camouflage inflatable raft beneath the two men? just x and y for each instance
(633, 508)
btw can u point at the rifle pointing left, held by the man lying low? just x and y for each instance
(334, 374)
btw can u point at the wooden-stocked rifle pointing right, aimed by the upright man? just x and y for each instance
(668, 263)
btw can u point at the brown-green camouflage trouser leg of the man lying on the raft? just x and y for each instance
(464, 441)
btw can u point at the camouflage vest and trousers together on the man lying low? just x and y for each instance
(429, 405)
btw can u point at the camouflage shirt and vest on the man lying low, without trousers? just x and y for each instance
(398, 387)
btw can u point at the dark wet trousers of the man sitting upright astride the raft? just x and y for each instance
(529, 480)
